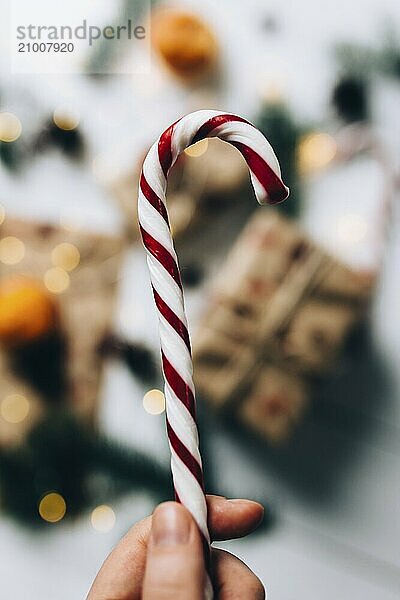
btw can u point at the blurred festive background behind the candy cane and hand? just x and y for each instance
(293, 311)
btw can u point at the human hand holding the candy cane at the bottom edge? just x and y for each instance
(161, 557)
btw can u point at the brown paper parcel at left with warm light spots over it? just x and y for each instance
(83, 296)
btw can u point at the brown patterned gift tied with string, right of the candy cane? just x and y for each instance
(280, 313)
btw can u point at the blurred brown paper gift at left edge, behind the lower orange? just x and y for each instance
(85, 307)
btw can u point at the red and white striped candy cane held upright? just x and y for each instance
(167, 286)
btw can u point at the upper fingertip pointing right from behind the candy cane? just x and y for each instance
(228, 519)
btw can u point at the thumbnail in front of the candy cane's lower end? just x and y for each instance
(170, 526)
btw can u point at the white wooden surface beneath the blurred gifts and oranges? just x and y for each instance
(335, 492)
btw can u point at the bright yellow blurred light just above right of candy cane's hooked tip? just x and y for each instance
(315, 151)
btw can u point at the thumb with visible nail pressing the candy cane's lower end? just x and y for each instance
(175, 562)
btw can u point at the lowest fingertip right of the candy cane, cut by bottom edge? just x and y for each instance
(233, 579)
